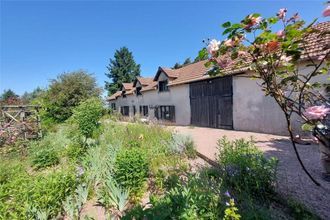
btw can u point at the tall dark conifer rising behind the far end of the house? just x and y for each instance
(121, 69)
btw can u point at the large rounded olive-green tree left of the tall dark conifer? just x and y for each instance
(66, 92)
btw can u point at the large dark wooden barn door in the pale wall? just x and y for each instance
(211, 103)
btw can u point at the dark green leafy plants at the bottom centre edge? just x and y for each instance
(196, 199)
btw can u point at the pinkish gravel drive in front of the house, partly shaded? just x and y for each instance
(292, 181)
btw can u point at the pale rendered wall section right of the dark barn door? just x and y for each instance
(253, 111)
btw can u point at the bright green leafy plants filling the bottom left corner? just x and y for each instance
(25, 196)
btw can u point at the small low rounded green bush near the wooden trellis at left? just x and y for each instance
(45, 158)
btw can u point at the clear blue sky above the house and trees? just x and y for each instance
(40, 39)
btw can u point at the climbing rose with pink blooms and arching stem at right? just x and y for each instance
(276, 56)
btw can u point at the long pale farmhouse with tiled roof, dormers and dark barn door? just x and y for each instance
(188, 96)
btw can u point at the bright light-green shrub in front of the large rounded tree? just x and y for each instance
(87, 116)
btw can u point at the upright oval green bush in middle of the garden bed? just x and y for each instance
(131, 169)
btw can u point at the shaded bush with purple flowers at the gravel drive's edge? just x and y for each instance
(245, 167)
